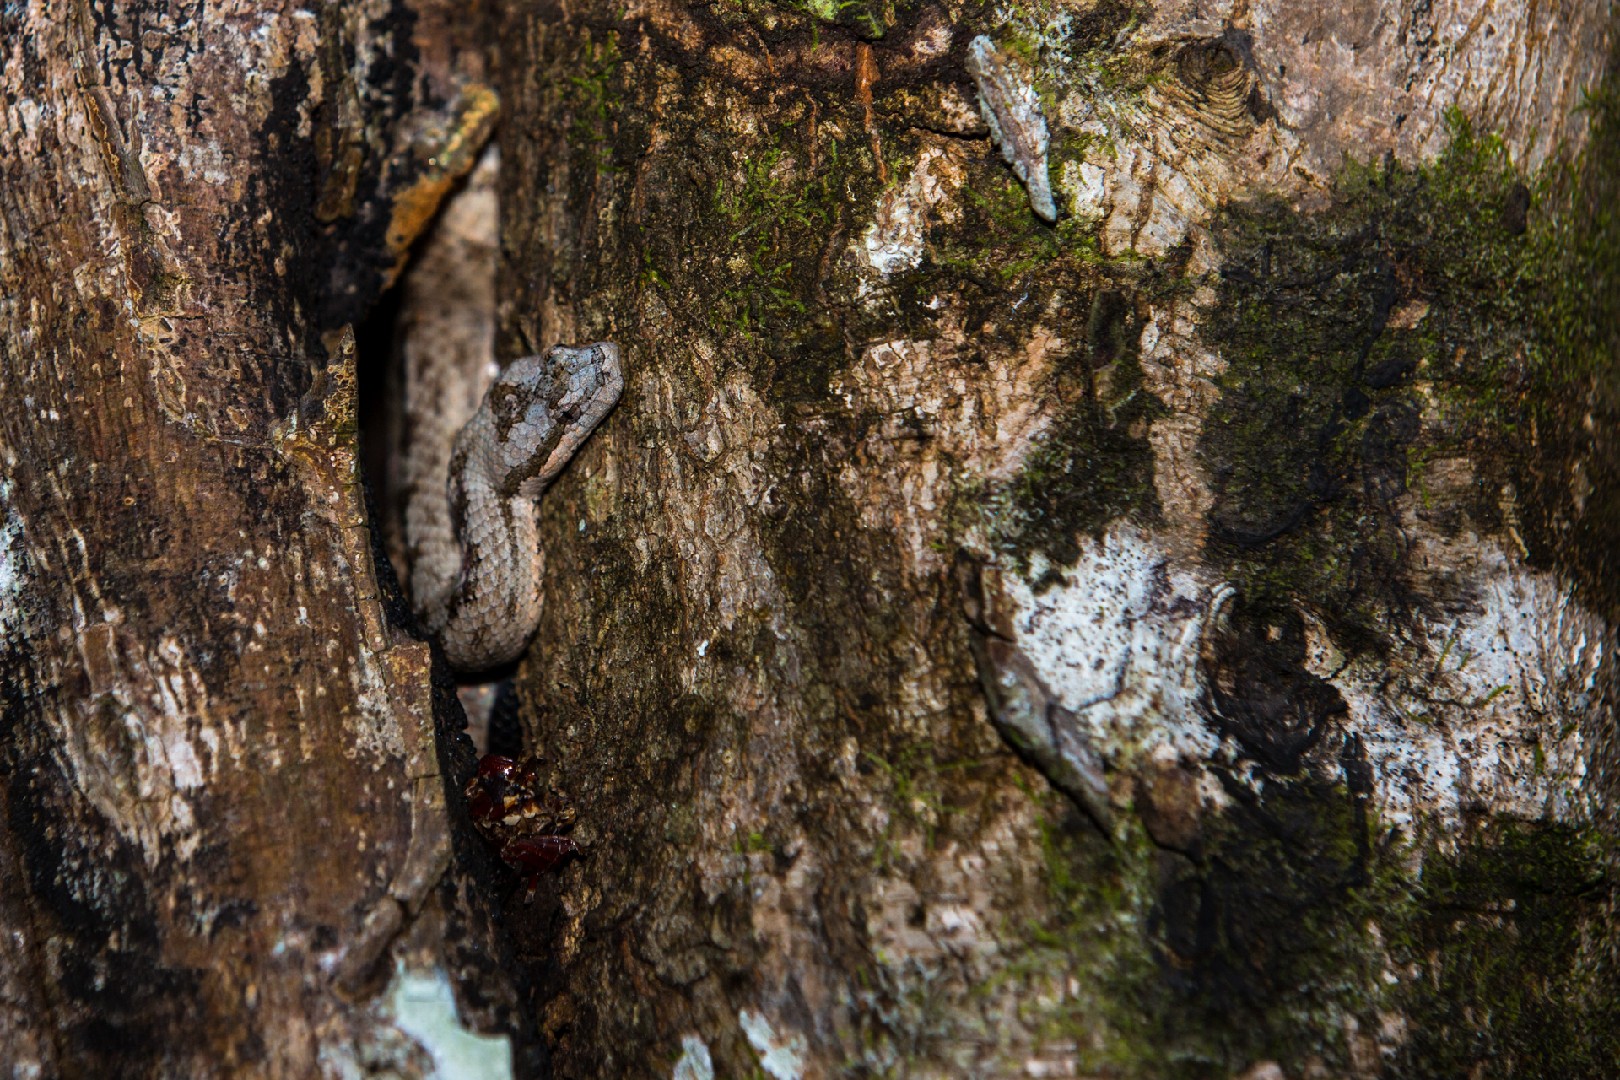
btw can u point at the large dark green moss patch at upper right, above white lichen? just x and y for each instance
(1451, 283)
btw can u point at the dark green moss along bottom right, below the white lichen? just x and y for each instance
(1300, 919)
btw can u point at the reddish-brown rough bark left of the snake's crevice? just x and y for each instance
(221, 778)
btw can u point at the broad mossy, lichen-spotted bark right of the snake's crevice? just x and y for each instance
(1169, 642)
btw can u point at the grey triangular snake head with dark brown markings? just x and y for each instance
(545, 407)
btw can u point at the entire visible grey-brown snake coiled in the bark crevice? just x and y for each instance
(480, 446)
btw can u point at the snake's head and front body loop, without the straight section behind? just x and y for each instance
(477, 558)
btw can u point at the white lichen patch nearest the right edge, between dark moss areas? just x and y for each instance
(1491, 708)
